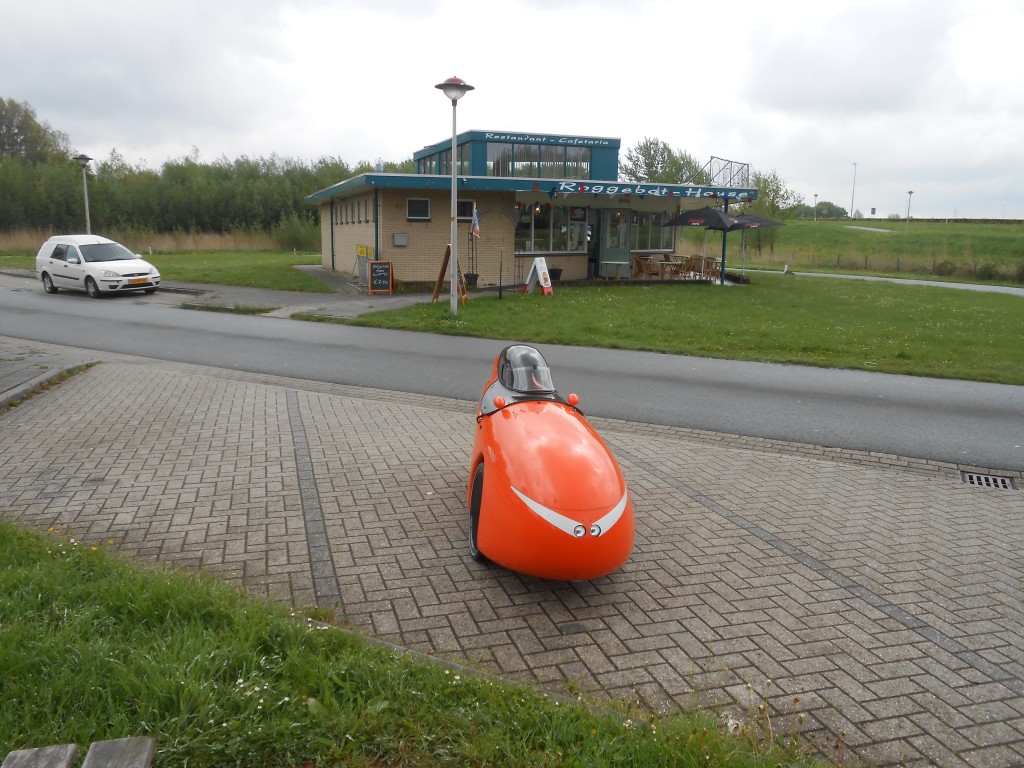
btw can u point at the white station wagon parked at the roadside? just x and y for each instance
(94, 265)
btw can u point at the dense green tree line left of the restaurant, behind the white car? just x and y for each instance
(41, 187)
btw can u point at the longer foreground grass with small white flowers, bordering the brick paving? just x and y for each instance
(93, 648)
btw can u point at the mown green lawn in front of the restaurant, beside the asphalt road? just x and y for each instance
(918, 330)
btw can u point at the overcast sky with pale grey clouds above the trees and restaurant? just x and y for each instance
(921, 95)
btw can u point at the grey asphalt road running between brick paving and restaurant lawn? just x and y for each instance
(980, 425)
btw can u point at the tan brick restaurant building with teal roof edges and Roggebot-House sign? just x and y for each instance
(534, 195)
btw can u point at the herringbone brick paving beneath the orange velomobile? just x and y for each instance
(862, 599)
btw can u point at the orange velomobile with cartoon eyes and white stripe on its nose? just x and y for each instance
(546, 496)
